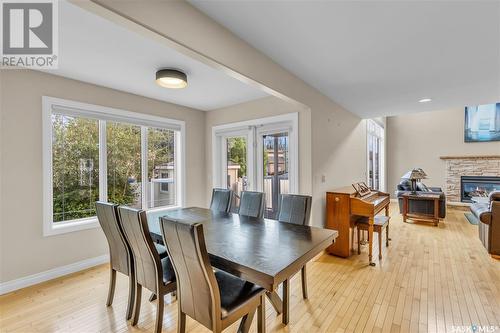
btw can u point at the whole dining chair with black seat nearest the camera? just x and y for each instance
(214, 299)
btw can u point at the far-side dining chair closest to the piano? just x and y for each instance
(296, 209)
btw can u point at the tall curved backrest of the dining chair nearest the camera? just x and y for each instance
(197, 288)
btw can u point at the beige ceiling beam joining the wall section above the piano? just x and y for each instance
(338, 137)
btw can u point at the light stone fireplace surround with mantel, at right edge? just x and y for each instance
(485, 167)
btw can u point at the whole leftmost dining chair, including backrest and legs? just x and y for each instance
(120, 254)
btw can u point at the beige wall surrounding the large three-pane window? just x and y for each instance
(26, 250)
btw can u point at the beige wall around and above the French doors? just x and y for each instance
(261, 108)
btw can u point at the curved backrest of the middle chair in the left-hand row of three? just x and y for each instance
(146, 258)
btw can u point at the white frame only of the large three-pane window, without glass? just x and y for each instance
(52, 105)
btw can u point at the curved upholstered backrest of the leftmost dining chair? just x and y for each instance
(119, 249)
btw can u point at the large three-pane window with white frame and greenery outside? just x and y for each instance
(95, 153)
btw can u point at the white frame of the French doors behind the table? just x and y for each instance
(251, 129)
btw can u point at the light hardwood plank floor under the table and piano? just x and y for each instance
(431, 279)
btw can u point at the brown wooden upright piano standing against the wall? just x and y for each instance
(343, 207)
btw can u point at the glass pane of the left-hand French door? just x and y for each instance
(236, 167)
